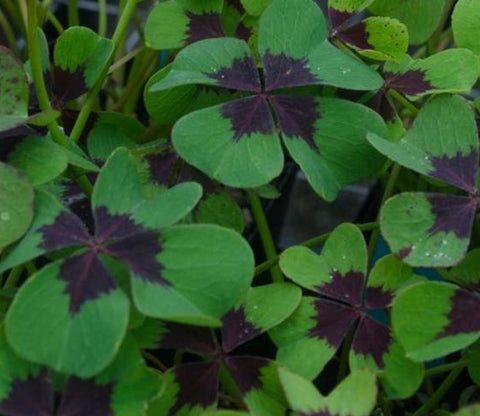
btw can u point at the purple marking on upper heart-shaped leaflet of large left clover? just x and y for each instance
(113, 227)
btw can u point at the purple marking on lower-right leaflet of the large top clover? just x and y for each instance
(296, 115)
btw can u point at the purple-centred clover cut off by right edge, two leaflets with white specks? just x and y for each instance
(434, 229)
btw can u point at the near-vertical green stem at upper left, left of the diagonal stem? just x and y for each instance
(37, 72)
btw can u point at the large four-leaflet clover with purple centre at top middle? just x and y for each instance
(237, 142)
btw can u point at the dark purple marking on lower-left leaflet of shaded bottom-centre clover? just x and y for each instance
(198, 384)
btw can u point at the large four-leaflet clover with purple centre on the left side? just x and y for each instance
(78, 331)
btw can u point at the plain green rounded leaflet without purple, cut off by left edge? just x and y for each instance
(16, 205)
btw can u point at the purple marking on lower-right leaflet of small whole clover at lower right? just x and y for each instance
(372, 338)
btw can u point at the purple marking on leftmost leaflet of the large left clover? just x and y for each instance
(67, 230)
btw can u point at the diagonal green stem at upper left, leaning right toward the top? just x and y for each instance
(117, 37)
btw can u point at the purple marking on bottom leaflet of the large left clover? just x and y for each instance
(87, 279)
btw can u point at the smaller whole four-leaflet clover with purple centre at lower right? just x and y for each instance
(311, 336)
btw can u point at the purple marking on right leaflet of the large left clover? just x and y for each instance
(139, 251)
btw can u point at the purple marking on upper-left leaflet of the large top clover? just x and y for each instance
(241, 75)
